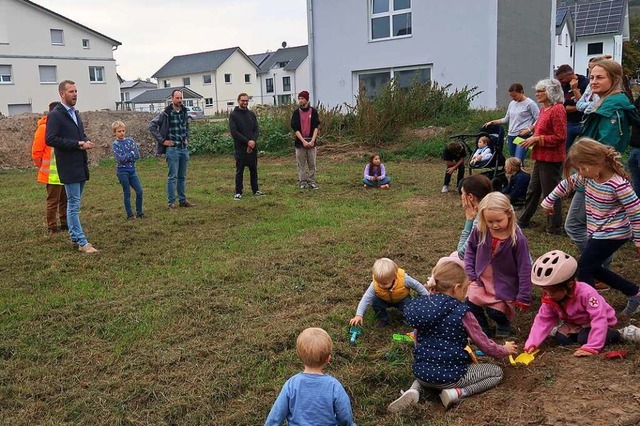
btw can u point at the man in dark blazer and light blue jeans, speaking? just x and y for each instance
(65, 133)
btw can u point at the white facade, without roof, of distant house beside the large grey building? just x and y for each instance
(276, 80)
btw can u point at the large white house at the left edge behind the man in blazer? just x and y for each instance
(40, 48)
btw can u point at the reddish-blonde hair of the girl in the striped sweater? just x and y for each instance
(589, 152)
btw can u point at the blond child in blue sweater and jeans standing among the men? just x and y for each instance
(126, 152)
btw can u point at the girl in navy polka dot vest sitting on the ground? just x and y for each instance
(443, 324)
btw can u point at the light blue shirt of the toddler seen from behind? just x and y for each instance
(311, 399)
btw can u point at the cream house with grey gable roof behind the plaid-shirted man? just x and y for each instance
(219, 76)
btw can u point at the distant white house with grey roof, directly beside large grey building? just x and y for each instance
(283, 74)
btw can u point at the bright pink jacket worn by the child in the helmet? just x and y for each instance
(586, 307)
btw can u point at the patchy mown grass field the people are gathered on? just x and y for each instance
(190, 317)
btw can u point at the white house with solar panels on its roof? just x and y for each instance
(601, 27)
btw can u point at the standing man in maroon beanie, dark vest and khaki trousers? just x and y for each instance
(305, 122)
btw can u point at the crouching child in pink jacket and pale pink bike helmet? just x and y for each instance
(587, 318)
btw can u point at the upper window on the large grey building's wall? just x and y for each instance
(390, 18)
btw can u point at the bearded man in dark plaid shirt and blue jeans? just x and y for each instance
(170, 128)
